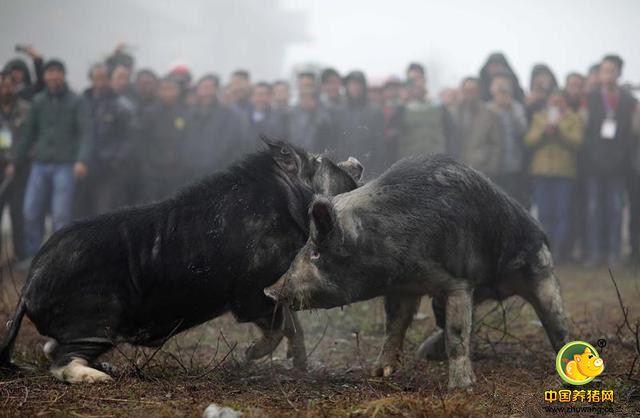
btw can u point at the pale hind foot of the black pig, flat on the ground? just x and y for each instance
(71, 361)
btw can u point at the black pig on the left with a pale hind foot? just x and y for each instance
(143, 274)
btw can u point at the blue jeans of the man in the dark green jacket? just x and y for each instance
(50, 187)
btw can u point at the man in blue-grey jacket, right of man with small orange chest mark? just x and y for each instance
(214, 135)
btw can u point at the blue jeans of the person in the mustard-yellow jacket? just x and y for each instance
(553, 197)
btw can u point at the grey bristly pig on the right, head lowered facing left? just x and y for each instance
(427, 226)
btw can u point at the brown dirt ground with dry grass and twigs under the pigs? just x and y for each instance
(513, 362)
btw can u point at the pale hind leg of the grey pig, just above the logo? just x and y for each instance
(544, 295)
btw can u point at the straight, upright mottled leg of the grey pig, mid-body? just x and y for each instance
(459, 317)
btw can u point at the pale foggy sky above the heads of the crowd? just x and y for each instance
(273, 37)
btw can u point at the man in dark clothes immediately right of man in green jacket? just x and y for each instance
(105, 187)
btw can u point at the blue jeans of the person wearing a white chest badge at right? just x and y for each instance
(604, 218)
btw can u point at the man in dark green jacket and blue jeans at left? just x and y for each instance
(58, 139)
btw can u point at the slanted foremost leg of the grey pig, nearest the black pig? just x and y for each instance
(399, 312)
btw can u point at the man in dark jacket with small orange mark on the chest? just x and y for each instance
(162, 135)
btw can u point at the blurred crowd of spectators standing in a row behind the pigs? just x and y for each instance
(133, 136)
